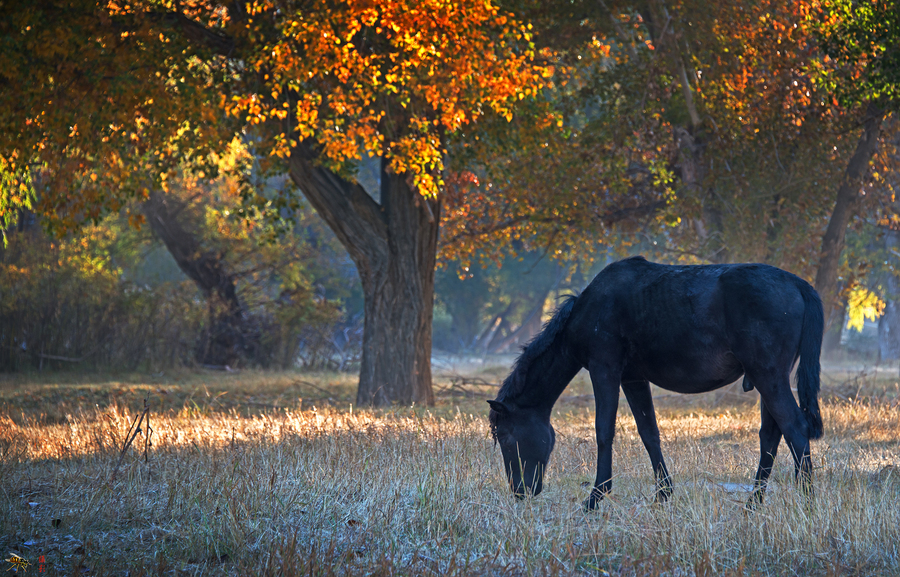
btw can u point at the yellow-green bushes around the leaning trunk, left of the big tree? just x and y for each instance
(90, 301)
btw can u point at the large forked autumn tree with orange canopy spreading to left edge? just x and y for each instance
(129, 92)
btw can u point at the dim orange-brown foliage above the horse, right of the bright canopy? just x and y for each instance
(695, 125)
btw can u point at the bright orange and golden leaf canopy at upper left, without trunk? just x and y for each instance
(106, 101)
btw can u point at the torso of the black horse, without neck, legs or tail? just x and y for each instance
(689, 328)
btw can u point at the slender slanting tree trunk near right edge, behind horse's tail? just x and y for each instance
(844, 208)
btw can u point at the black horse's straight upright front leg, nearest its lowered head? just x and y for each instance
(606, 400)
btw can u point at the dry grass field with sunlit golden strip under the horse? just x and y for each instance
(277, 474)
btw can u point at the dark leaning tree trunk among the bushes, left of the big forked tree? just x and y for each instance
(229, 333)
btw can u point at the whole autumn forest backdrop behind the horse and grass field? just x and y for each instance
(280, 183)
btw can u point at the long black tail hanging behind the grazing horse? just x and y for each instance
(810, 349)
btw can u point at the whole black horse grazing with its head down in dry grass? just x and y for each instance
(688, 329)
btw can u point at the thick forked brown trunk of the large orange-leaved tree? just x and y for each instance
(393, 242)
